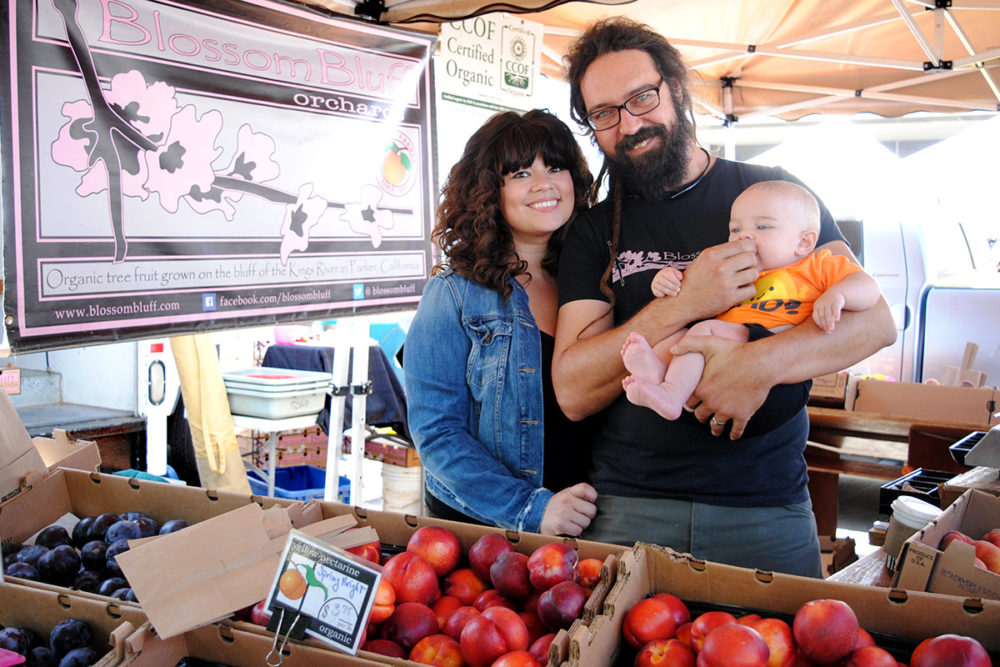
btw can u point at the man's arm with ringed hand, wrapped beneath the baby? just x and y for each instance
(737, 376)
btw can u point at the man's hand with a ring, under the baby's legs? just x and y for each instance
(732, 385)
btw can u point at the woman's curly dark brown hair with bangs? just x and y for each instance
(471, 230)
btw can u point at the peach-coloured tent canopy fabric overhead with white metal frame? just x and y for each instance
(784, 58)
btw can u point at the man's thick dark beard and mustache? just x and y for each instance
(654, 174)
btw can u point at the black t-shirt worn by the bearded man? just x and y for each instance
(636, 452)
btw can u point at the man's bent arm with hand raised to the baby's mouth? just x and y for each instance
(587, 368)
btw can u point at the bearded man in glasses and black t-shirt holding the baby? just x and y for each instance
(741, 499)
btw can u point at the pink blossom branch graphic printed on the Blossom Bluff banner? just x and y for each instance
(134, 138)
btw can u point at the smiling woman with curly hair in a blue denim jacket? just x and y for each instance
(494, 445)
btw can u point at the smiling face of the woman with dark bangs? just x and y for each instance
(536, 200)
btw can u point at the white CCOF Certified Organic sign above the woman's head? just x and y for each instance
(491, 62)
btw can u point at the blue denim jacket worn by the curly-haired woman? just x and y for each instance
(474, 401)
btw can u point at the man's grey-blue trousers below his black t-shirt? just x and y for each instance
(777, 539)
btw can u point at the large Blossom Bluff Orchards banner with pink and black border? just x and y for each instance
(178, 166)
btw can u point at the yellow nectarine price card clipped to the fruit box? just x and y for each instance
(323, 592)
